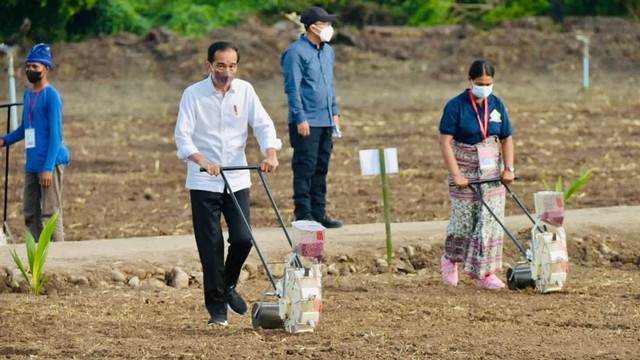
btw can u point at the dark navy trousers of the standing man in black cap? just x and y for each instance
(310, 164)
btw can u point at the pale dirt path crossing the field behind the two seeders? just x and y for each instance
(350, 240)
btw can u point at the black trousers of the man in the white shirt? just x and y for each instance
(219, 274)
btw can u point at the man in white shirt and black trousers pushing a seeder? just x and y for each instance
(211, 132)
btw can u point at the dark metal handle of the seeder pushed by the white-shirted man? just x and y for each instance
(258, 169)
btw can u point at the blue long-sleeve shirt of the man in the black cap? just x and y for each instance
(308, 82)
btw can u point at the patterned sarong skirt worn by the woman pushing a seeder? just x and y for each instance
(474, 237)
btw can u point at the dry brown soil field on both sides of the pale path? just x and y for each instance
(121, 96)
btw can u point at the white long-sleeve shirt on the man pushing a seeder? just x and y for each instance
(216, 126)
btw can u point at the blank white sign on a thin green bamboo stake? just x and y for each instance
(382, 161)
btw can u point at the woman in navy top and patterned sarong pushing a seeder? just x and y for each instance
(476, 143)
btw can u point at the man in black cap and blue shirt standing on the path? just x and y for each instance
(307, 66)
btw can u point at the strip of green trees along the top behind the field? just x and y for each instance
(73, 20)
